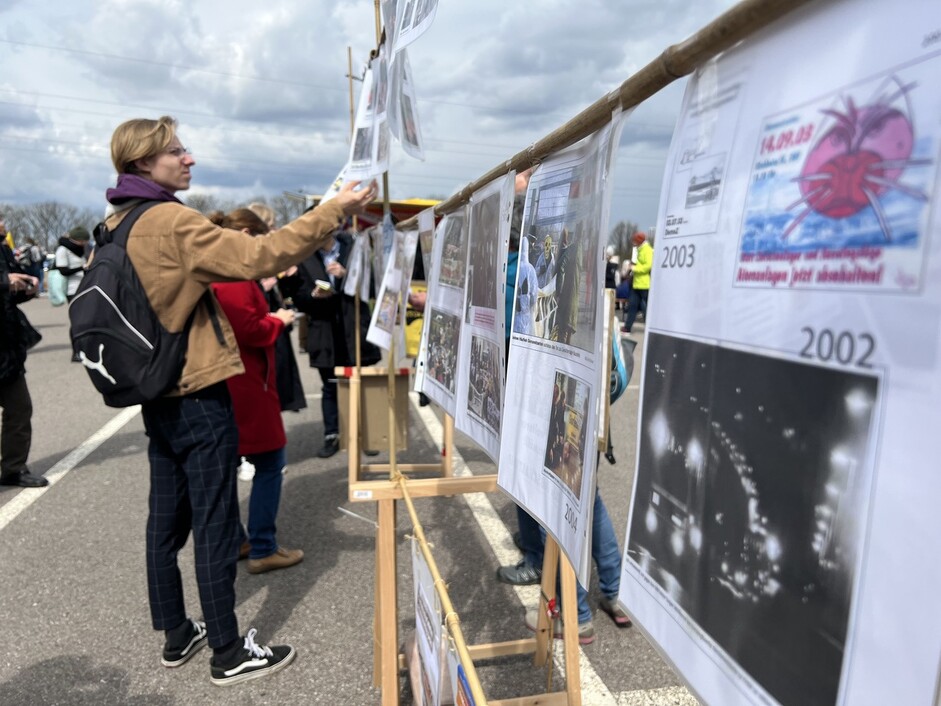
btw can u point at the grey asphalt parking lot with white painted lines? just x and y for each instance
(74, 604)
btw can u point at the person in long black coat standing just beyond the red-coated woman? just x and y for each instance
(331, 327)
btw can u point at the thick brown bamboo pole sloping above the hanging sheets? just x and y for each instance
(675, 62)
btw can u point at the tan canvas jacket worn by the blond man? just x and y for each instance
(177, 253)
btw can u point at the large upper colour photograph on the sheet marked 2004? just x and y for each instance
(561, 249)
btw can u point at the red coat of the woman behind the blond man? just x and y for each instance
(254, 392)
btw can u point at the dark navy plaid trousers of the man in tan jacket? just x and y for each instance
(193, 454)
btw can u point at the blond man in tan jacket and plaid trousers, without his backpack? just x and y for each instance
(177, 253)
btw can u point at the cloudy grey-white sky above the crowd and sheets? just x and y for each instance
(262, 97)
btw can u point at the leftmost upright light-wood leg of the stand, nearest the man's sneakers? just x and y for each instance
(387, 604)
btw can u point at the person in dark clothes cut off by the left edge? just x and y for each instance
(16, 337)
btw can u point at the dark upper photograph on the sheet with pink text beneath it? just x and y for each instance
(482, 263)
